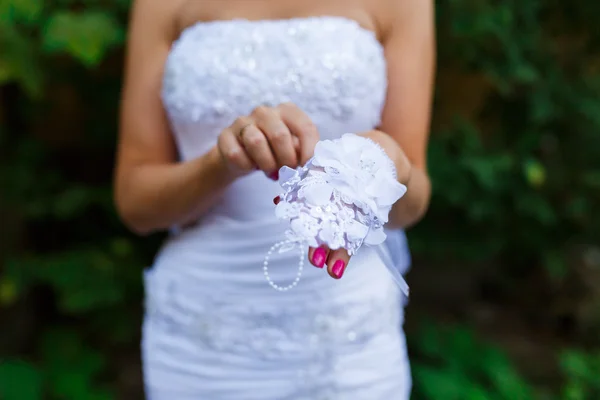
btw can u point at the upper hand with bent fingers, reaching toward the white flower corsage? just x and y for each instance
(267, 139)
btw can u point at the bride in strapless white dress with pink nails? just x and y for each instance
(217, 97)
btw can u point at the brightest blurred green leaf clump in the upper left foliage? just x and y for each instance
(86, 36)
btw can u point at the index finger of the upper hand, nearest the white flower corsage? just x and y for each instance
(302, 127)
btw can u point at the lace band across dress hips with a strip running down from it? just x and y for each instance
(309, 337)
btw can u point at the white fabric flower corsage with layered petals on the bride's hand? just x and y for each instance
(342, 197)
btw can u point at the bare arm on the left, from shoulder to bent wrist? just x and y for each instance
(152, 190)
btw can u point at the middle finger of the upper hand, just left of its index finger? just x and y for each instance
(278, 135)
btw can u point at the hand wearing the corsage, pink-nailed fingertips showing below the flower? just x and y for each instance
(337, 260)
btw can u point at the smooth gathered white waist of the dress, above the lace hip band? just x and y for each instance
(225, 250)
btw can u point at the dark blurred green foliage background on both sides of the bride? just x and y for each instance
(506, 278)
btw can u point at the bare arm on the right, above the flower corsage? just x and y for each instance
(410, 53)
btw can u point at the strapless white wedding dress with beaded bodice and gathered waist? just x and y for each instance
(214, 329)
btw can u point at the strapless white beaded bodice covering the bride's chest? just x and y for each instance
(330, 67)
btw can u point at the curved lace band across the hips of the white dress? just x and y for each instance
(274, 333)
